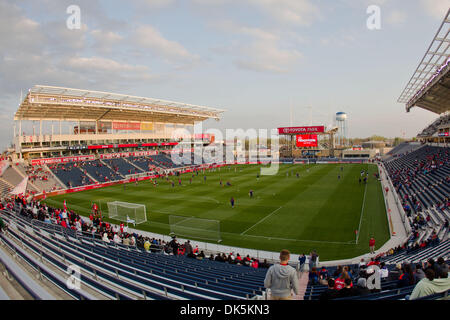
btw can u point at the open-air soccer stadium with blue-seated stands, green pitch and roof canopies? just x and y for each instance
(110, 196)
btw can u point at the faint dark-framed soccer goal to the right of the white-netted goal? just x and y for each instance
(191, 227)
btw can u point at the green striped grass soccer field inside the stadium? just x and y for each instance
(313, 211)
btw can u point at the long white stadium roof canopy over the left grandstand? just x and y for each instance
(56, 103)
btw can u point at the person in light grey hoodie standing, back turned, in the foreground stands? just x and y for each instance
(282, 278)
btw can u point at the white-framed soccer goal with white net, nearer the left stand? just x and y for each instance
(134, 213)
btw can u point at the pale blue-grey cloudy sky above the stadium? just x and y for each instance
(268, 63)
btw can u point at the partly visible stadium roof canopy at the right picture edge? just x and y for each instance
(429, 87)
